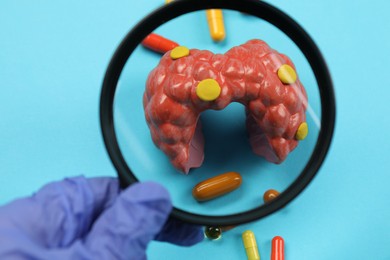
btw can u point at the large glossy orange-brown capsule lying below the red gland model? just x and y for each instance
(216, 186)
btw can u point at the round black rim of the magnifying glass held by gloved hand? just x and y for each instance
(253, 7)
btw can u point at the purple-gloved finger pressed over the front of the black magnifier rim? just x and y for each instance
(124, 230)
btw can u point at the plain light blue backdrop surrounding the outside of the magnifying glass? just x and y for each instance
(53, 57)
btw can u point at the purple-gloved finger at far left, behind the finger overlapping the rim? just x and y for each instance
(58, 214)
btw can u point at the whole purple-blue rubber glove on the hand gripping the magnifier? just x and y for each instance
(82, 218)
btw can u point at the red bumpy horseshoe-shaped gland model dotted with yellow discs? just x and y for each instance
(187, 82)
